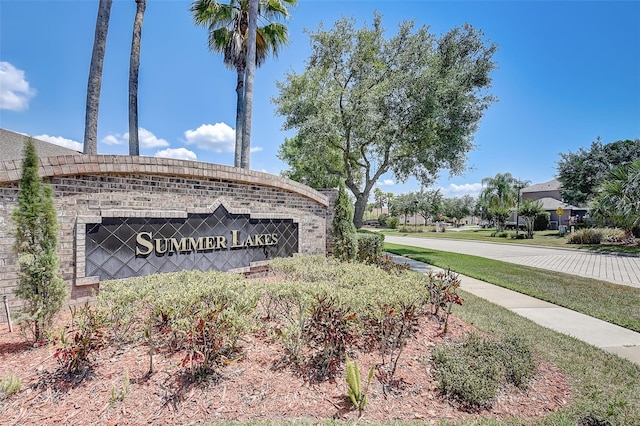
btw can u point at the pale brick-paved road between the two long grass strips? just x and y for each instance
(617, 269)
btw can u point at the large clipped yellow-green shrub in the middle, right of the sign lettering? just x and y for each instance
(369, 307)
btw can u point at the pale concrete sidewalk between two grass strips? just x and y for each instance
(606, 336)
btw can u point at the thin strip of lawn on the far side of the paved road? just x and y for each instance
(542, 238)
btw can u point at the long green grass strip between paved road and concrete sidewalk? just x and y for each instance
(609, 302)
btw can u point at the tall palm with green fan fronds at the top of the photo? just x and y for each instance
(228, 26)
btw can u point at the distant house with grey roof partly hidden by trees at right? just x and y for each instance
(549, 194)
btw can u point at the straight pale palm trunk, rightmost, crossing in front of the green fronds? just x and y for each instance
(248, 96)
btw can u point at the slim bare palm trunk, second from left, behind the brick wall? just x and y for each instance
(134, 66)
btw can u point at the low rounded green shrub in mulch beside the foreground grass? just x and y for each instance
(473, 370)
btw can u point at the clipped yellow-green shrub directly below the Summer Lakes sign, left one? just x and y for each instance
(202, 313)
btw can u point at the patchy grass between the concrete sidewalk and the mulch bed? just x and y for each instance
(604, 387)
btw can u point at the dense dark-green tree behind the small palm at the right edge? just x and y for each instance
(582, 172)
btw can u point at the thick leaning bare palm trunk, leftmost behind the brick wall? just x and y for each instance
(95, 78)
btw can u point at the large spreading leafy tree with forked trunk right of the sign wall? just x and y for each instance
(366, 105)
